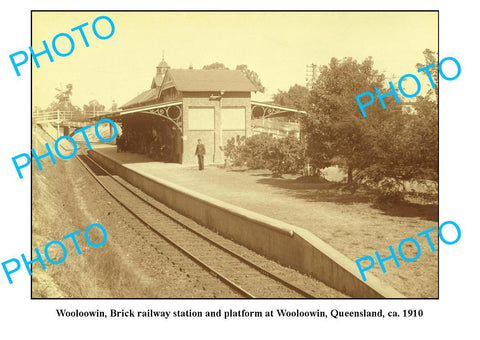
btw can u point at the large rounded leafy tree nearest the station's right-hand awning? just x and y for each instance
(335, 131)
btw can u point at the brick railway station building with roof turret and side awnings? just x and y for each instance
(184, 105)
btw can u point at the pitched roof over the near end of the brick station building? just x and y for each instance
(210, 80)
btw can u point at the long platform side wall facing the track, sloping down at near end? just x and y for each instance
(287, 244)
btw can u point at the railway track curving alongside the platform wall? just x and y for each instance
(247, 278)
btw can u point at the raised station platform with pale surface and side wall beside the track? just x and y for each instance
(239, 205)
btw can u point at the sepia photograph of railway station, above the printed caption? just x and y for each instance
(234, 154)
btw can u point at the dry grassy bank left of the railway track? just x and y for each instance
(98, 272)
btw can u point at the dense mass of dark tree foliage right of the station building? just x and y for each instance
(384, 149)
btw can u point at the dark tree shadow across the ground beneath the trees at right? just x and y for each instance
(336, 193)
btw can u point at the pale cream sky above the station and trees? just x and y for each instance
(276, 45)
